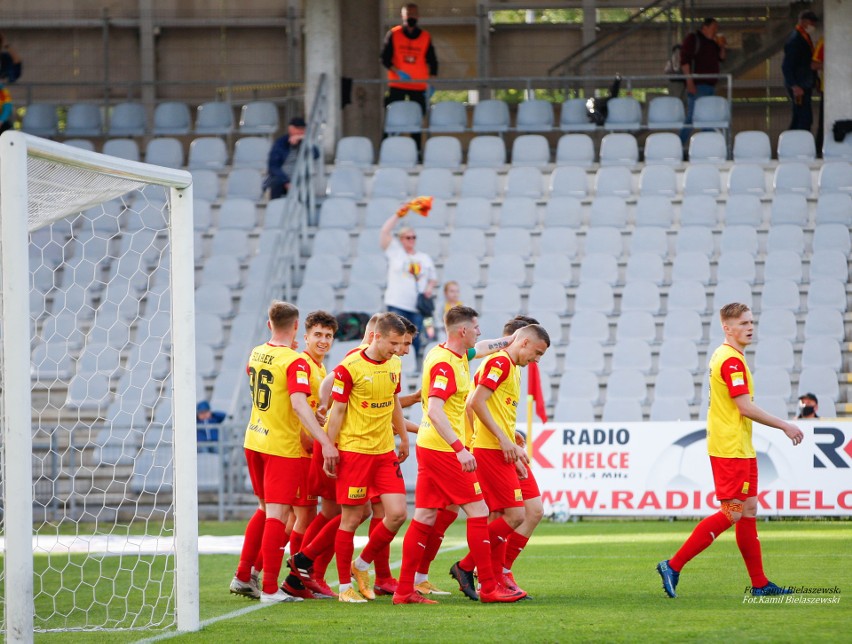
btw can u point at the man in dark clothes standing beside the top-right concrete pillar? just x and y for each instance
(799, 75)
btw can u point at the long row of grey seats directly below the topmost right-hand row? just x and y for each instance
(575, 149)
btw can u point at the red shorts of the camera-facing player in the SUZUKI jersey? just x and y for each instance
(361, 476)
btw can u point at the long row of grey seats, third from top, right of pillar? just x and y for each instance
(571, 181)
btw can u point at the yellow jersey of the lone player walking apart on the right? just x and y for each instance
(728, 431)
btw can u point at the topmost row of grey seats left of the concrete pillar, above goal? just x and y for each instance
(171, 118)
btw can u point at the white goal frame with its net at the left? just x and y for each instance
(41, 183)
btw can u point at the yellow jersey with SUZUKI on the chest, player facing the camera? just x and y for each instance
(368, 388)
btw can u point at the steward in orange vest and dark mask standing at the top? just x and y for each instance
(408, 54)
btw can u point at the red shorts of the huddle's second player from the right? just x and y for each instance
(441, 481)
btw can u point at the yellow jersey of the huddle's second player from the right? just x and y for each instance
(446, 375)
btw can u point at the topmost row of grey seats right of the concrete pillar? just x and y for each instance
(625, 113)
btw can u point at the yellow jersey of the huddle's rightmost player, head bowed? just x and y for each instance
(502, 376)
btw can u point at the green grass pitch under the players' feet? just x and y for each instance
(592, 581)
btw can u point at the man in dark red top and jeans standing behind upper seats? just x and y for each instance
(700, 53)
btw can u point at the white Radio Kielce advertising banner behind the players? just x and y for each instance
(662, 469)
